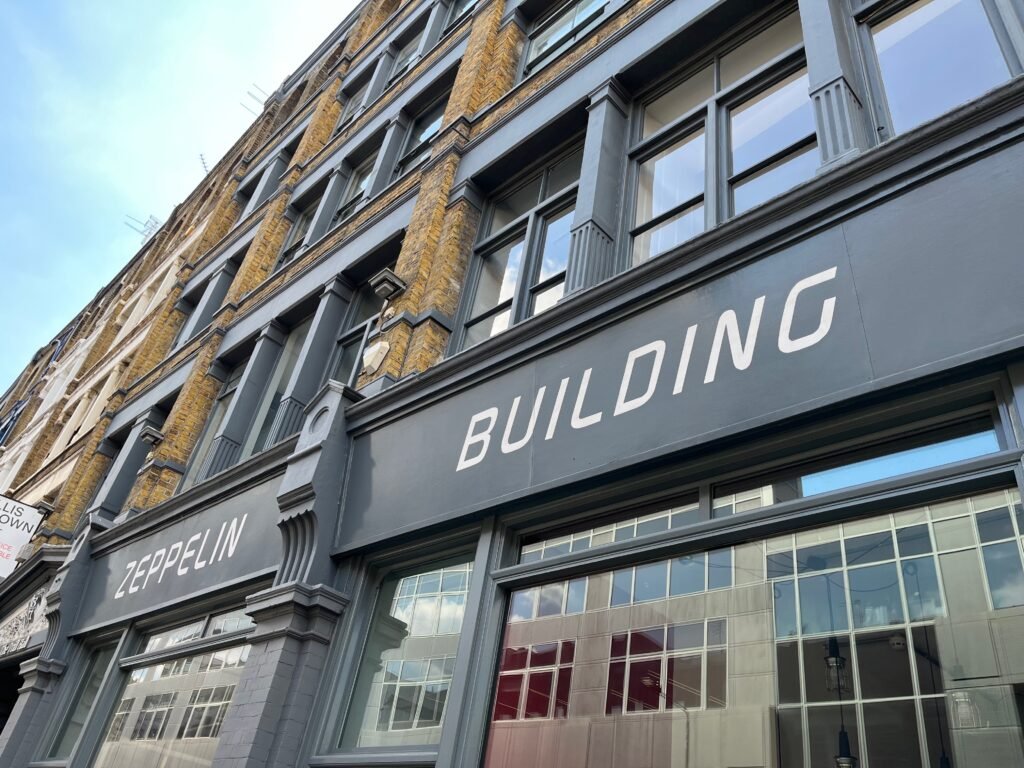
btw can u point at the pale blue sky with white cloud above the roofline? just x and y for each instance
(106, 108)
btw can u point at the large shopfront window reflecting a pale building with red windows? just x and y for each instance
(888, 639)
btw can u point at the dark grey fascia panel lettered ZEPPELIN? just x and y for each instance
(259, 552)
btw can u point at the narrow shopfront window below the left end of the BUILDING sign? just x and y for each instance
(402, 688)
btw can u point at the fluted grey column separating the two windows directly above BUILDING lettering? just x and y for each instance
(592, 248)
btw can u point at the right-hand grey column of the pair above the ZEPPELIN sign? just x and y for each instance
(314, 358)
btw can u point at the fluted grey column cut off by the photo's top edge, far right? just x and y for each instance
(836, 89)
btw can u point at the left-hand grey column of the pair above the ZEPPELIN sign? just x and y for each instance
(227, 446)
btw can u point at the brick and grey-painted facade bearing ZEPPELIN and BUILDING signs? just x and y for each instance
(624, 383)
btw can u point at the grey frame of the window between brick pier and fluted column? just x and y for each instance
(531, 228)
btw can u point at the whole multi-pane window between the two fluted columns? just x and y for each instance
(766, 143)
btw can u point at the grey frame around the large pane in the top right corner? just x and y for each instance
(867, 14)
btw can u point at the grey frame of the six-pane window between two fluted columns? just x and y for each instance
(711, 117)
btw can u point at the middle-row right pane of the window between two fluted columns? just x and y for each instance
(773, 121)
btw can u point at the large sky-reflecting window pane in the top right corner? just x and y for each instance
(934, 57)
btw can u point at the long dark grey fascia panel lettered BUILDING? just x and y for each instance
(912, 290)
